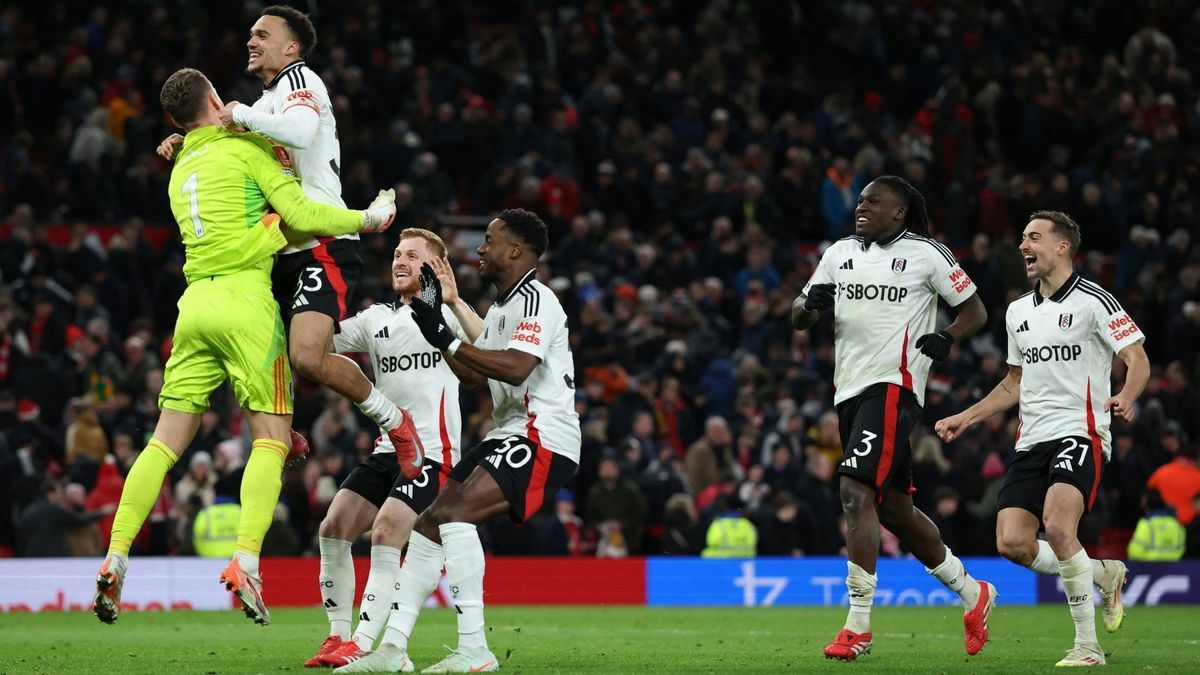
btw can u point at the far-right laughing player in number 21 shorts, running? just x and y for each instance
(1061, 341)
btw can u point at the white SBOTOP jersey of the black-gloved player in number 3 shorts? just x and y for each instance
(887, 298)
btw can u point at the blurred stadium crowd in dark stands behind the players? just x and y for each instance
(693, 160)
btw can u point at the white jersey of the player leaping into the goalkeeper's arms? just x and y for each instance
(319, 166)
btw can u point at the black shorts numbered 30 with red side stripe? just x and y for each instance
(527, 473)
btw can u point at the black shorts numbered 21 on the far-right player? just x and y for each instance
(1076, 461)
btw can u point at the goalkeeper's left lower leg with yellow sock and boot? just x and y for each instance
(173, 433)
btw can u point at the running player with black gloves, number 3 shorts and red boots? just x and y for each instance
(884, 285)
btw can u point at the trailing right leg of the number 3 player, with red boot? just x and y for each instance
(921, 536)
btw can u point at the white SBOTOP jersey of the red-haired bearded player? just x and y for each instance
(411, 374)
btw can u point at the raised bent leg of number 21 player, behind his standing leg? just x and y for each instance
(1017, 539)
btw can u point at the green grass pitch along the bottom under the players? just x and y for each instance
(1165, 640)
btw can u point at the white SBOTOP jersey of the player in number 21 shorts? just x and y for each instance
(1065, 347)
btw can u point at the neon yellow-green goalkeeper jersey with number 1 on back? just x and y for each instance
(220, 190)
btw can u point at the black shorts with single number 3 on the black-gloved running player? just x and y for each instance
(875, 428)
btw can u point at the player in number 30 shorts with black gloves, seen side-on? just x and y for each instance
(524, 351)
